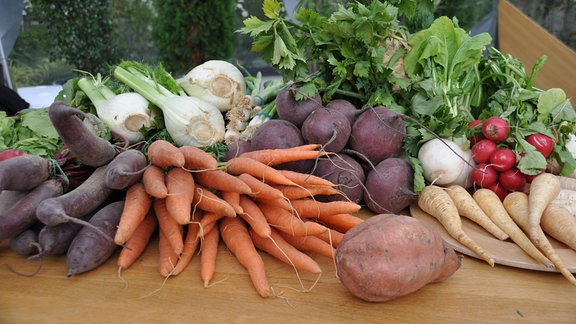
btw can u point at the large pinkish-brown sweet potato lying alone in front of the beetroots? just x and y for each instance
(389, 256)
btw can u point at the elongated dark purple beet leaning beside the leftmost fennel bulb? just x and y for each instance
(89, 148)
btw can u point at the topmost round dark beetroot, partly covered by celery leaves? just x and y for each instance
(292, 110)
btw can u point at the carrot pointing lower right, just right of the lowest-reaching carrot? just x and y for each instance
(277, 246)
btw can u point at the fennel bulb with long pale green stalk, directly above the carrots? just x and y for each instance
(188, 120)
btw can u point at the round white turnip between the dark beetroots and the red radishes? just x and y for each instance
(442, 161)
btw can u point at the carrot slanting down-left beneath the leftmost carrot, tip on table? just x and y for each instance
(138, 241)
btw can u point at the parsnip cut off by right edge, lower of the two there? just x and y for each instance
(560, 224)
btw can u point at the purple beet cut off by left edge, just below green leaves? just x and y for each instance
(23, 172)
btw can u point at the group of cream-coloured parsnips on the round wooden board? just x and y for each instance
(525, 218)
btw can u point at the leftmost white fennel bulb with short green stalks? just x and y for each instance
(125, 114)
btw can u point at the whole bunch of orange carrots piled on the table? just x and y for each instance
(194, 201)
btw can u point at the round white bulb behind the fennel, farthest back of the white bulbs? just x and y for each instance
(217, 82)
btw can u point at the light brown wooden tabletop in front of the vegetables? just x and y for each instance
(476, 293)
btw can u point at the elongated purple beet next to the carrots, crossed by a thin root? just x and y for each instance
(89, 249)
